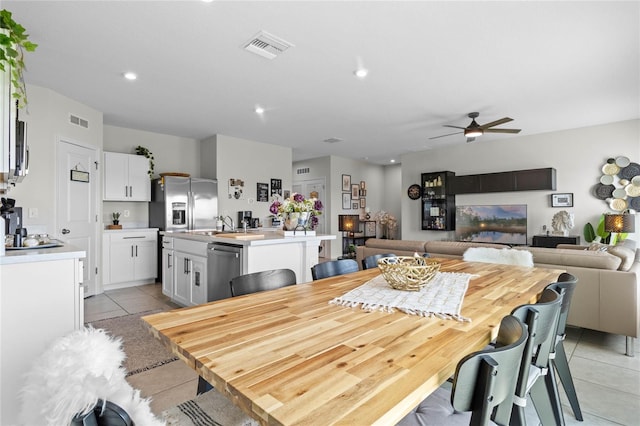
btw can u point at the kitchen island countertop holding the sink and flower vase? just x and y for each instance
(270, 237)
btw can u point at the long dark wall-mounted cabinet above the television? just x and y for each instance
(518, 180)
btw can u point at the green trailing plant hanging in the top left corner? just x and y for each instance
(13, 43)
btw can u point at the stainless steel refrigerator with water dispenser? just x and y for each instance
(183, 204)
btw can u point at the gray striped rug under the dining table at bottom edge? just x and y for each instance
(208, 409)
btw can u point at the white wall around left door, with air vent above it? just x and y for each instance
(47, 120)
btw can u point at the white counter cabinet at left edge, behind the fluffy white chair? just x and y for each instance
(41, 299)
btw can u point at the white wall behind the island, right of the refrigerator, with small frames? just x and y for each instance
(251, 162)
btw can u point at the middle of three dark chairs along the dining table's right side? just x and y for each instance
(541, 319)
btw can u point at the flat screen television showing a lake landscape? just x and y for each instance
(504, 224)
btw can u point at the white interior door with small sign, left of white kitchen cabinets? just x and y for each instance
(77, 219)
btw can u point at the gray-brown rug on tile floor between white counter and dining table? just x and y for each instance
(143, 351)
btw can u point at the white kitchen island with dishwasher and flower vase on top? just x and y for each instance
(197, 265)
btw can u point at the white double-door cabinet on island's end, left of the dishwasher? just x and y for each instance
(190, 272)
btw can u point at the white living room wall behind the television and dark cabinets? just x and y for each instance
(578, 156)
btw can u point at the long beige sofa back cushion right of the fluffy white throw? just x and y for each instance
(568, 257)
